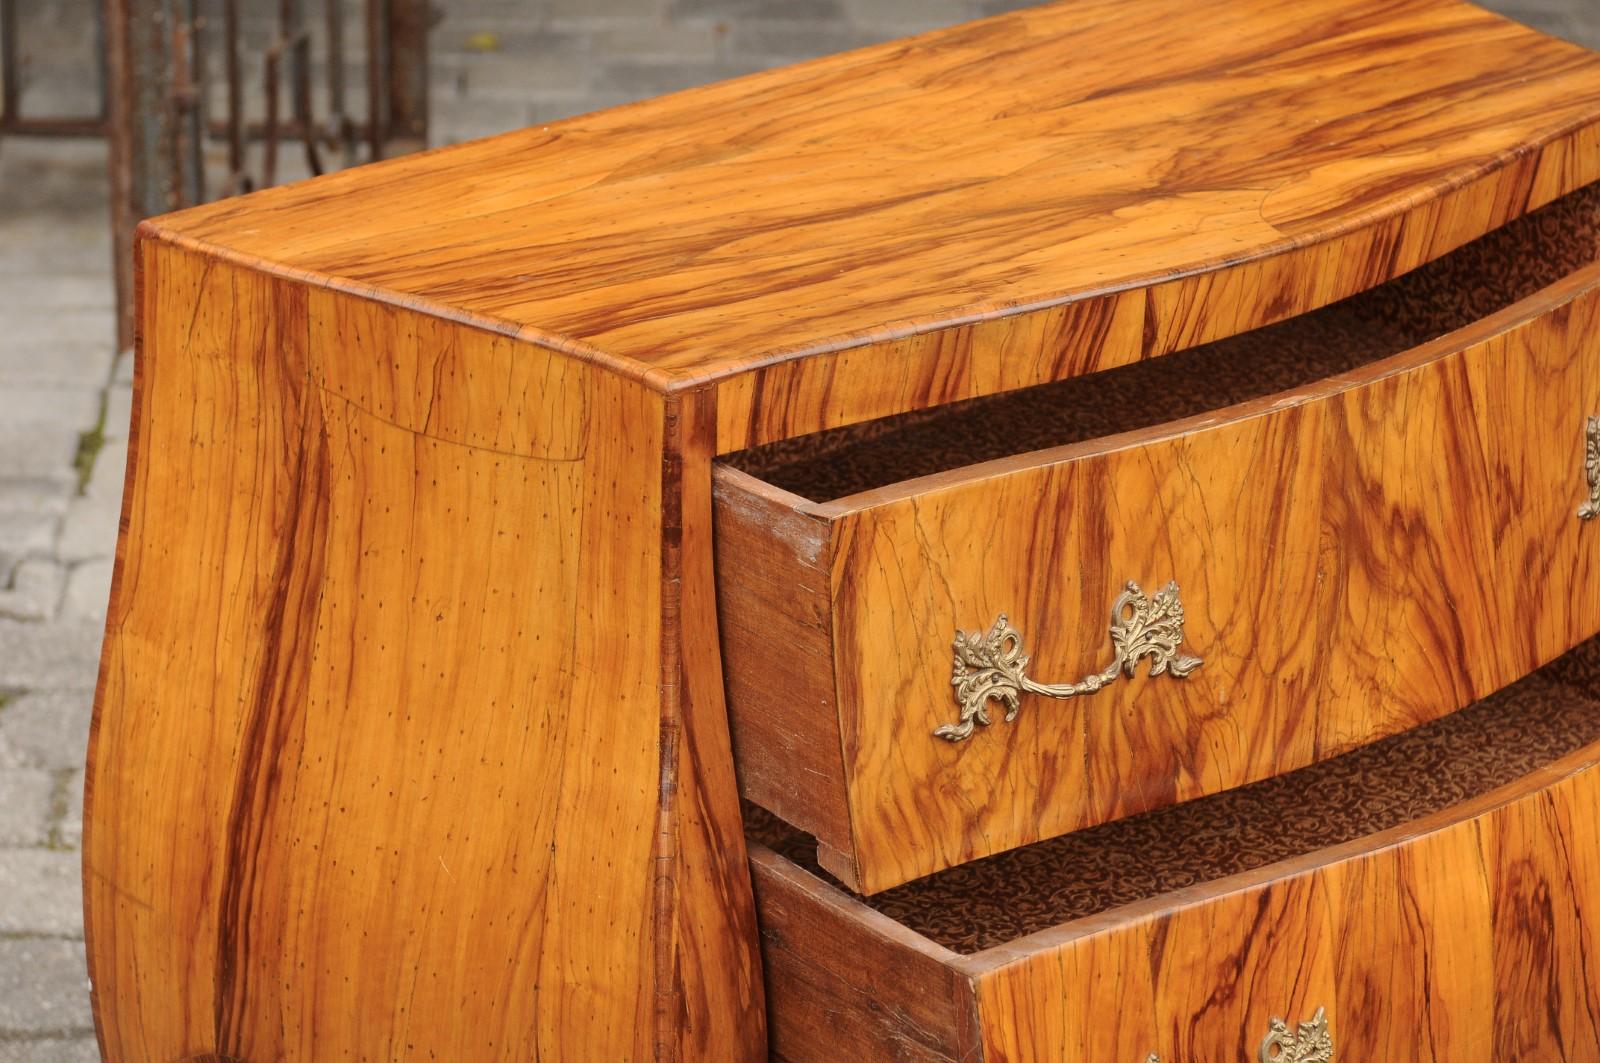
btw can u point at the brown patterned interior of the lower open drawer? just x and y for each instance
(996, 901)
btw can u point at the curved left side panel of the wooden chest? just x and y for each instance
(409, 740)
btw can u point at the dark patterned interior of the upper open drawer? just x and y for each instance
(1463, 287)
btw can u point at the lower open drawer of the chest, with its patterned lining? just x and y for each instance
(1428, 897)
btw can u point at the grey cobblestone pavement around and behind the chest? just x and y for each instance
(65, 393)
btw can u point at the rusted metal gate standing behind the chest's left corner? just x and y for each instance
(202, 98)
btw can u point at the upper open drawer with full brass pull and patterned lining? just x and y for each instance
(1340, 527)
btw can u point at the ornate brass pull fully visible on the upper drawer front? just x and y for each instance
(994, 667)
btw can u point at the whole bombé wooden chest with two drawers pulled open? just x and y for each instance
(1066, 539)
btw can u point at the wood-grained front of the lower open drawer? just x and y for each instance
(1474, 944)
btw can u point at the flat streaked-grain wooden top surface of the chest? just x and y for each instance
(994, 169)
